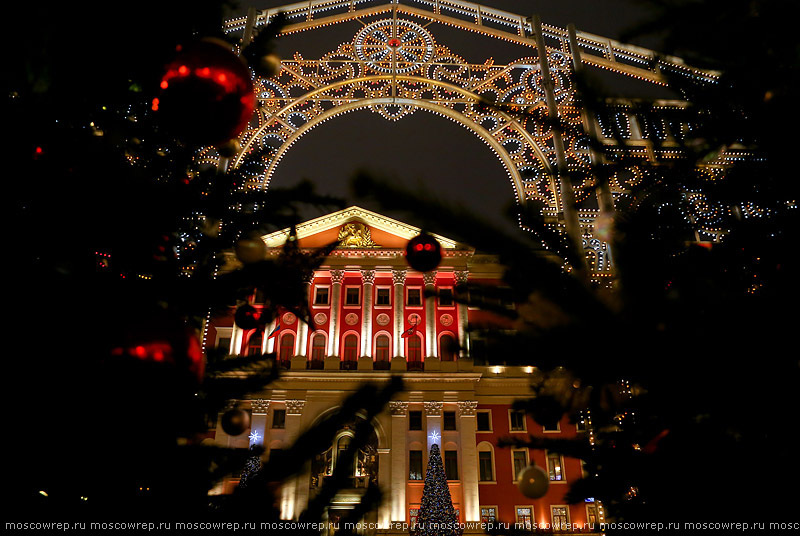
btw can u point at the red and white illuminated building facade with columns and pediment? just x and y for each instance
(373, 318)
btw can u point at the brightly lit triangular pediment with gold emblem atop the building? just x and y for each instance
(356, 228)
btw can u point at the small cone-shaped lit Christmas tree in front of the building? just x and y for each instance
(437, 517)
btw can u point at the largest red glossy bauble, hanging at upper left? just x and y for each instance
(206, 93)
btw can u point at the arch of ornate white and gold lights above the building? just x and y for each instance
(394, 66)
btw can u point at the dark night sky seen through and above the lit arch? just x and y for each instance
(423, 148)
